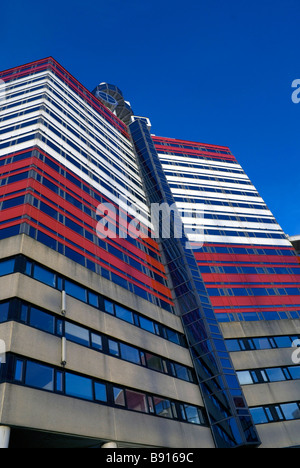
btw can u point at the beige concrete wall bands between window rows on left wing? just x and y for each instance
(39, 410)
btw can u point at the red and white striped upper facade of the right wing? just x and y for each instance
(250, 268)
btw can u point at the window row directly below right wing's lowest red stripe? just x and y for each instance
(257, 316)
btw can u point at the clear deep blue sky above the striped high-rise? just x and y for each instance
(212, 71)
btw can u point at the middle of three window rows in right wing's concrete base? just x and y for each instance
(274, 374)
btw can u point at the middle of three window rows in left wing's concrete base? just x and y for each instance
(35, 317)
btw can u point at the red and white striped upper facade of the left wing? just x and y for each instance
(62, 153)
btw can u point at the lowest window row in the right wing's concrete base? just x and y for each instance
(276, 413)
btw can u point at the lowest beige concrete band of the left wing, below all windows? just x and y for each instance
(29, 408)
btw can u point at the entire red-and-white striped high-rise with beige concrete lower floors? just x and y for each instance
(109, 327)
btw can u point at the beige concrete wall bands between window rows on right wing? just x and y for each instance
(273, 435)
